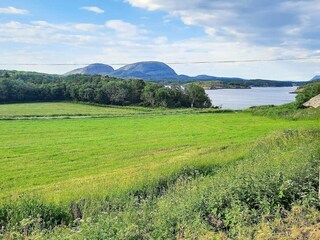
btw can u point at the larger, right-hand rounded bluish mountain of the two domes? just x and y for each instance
(147, 71)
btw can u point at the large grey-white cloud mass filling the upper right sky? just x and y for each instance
(268, 23)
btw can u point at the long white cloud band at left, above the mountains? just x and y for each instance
(75, 34)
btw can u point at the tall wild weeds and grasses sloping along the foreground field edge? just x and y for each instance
(267, 195)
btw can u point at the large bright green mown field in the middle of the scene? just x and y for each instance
(72, 158)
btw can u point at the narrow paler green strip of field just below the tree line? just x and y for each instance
(64, 110)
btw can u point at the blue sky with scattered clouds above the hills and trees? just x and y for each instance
(118, 32)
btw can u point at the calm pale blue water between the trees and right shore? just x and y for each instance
(238, 99)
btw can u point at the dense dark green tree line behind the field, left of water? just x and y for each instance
(31, 87)
